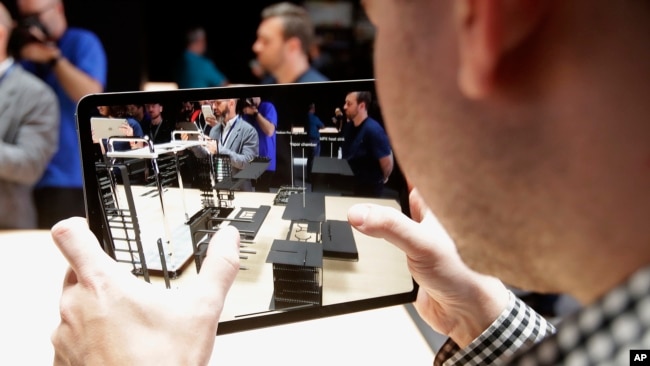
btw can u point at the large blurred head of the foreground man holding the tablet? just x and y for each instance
(521, 124)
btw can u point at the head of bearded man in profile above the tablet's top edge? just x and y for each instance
(286, 32)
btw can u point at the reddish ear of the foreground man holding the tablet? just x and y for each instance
(487, 30)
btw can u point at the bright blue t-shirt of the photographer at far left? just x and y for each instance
(84, 50)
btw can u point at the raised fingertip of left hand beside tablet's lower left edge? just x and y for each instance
(80, 248)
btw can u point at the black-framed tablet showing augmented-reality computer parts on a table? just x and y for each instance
(299, 258)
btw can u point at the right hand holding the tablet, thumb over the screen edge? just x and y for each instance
(453, 299)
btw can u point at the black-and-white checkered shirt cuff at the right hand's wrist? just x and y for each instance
(517, 327)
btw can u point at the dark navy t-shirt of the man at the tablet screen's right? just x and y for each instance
(363, 146)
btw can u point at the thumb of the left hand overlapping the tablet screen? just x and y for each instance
(221, 262)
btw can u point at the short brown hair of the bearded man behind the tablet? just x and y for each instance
(296, 22)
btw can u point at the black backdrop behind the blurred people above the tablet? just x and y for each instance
(143, 39)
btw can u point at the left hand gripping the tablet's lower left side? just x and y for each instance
(109, 317)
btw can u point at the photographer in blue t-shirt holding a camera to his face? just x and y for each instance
(73, 62)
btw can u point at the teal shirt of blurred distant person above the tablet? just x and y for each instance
(196, 71)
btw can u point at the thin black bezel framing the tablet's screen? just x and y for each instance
(93, 205)
